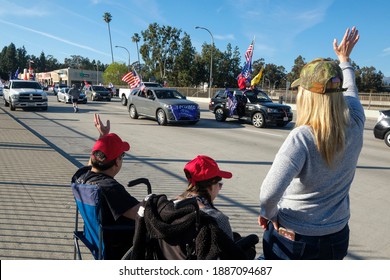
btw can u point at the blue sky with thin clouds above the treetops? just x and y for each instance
(283, 29)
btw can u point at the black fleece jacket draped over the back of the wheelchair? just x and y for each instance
(161, 227)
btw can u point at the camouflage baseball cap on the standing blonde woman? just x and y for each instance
(320, 76)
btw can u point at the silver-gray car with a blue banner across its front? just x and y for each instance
(164, 105)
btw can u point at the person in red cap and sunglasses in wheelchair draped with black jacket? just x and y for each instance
(190, 227)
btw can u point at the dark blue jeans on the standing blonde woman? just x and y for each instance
(328, 247)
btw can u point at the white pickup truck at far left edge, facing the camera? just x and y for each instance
(24, 94)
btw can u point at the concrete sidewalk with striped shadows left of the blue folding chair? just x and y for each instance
(36, 215)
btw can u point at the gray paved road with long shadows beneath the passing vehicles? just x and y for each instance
(160, 153)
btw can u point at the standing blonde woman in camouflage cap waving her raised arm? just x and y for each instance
(304, 198)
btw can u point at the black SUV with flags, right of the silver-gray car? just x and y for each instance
(253, 106)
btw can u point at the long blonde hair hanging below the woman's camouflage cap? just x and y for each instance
(327, 115)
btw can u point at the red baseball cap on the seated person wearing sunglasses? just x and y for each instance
(204, 168)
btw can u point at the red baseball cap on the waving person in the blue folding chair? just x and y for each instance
(111, 145)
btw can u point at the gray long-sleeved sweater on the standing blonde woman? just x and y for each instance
(301, 191)
